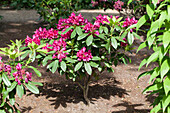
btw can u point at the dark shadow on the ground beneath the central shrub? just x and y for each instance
(61, 94)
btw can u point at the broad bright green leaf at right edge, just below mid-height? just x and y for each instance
(165, 67)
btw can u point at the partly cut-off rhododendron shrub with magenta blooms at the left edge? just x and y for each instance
(15, 77)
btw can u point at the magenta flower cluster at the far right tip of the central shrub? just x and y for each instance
(128, 22)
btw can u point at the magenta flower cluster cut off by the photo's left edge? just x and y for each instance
(4, 67)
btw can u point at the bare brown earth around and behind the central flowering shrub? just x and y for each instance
(118, 92)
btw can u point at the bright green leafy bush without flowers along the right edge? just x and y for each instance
(158, 39)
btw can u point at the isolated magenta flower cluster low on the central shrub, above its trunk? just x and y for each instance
(83, 55)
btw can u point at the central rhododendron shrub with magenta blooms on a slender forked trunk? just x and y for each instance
(82, 50)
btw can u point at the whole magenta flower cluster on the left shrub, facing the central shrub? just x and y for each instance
(20, 75)
